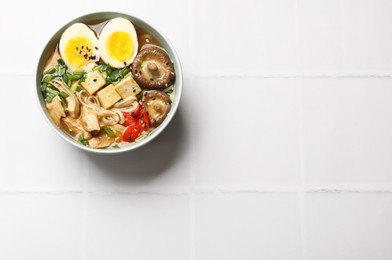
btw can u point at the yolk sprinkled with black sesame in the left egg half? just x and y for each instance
(78, 50)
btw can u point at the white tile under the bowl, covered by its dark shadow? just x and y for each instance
(163, 163)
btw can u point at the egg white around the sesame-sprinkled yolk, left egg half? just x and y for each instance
(79, 30)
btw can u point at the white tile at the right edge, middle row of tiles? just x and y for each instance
(348, 132)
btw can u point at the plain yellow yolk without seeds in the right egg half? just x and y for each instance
(120, 46)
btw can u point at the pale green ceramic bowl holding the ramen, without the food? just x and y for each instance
(51, 45)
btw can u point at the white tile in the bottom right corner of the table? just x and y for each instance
(349, 226)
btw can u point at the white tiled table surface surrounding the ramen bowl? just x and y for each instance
(281, 148)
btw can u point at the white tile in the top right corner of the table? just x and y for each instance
(349, 36)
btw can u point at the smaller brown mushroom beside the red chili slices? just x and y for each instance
(157, 105)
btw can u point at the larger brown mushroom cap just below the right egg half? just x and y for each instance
(153, 68)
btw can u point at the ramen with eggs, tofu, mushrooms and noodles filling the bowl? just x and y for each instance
(108, 83)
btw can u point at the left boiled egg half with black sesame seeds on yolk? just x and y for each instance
(78, 47)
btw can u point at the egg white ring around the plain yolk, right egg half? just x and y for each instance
(117, 25)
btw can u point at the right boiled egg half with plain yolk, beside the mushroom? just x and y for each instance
(118, 43)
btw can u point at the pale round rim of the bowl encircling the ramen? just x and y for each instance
(178, 83)
